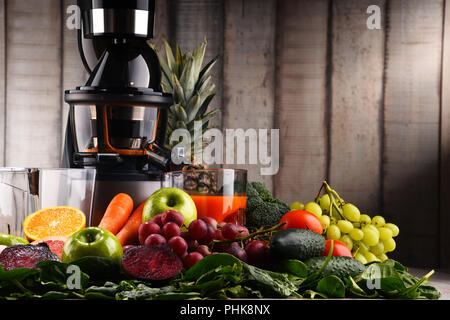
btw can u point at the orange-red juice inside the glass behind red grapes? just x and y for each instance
(221, 208)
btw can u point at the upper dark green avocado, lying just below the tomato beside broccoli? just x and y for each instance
(297, 244)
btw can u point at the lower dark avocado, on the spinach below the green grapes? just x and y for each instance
(341, 267)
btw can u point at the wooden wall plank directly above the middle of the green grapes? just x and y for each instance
(355, 102)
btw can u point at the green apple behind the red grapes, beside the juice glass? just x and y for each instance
(170, 199)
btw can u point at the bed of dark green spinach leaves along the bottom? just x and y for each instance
(218, 276)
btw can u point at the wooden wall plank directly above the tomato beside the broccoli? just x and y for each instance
(302, 29)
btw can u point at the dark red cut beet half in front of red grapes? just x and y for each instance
(151, 262)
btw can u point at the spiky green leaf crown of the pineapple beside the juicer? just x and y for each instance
(190, 84)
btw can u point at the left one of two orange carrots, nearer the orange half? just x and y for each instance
(117, 213)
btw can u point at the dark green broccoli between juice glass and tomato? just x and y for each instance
(262, 208)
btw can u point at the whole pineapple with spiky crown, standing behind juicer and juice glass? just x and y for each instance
(189, 83)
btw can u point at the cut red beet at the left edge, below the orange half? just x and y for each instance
(25, 256)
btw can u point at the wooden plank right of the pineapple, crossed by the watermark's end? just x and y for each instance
(249, 69)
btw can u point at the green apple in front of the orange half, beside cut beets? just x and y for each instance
(92, 241)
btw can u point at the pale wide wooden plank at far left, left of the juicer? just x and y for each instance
(33, 83)
